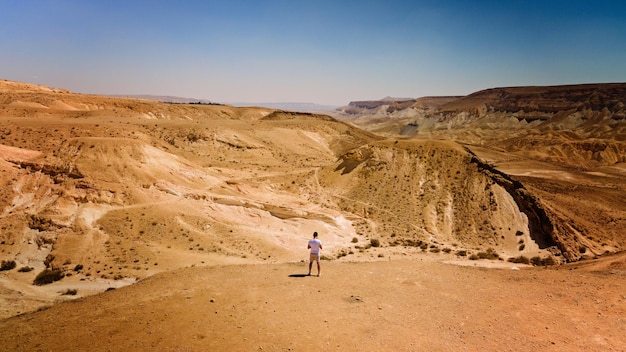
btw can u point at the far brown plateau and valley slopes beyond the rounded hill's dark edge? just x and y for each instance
(551, 139)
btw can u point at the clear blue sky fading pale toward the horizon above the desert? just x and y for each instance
(327, 52)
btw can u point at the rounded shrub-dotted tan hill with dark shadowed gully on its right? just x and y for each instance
(436, 192)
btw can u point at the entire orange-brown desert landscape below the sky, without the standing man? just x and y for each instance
(494, 221)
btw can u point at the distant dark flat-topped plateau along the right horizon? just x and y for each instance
(591, 109)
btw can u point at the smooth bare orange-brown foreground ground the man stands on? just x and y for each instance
(395, 304)
